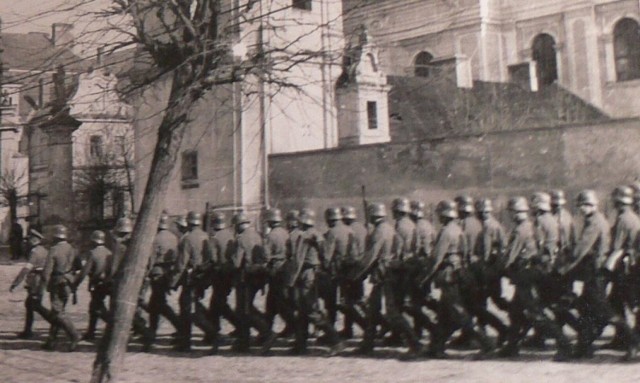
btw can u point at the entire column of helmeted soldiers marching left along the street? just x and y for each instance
(423, 281)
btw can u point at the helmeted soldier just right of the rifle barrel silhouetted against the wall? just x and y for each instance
(382, 260)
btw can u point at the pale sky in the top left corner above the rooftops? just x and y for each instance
(23, 16)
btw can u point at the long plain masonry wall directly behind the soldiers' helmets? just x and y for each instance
(498, 165)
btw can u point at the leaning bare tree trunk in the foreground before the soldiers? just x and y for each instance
(131, 272)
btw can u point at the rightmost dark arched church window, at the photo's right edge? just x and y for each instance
(626, 45)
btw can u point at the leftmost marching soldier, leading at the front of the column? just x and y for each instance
(32, 272)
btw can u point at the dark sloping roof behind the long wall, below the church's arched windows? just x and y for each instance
(423, 108)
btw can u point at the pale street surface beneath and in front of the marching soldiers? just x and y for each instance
(23, 361)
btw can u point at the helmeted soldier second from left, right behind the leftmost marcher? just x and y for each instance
(57, 278)
